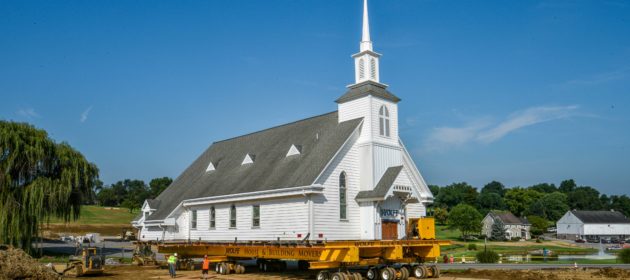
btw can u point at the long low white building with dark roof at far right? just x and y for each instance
(593, 224)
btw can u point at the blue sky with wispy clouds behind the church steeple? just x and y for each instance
(517, 91)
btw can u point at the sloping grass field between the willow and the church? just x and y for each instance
(101, 215)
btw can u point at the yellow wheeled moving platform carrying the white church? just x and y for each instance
(384, 259)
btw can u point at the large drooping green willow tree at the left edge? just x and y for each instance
(39, 179)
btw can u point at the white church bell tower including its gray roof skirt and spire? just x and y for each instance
(368, 98)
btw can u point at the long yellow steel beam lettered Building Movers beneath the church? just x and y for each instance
(321, 255)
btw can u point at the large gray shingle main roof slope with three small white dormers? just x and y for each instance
(320, 137)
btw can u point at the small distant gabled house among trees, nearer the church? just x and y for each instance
(514, 226)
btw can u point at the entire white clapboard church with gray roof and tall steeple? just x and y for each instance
(343, 175)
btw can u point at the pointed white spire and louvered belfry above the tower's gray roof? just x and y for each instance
(366, 61)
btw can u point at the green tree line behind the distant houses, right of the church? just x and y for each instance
(461, 206)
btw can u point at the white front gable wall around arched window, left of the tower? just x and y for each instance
(326, 207)
